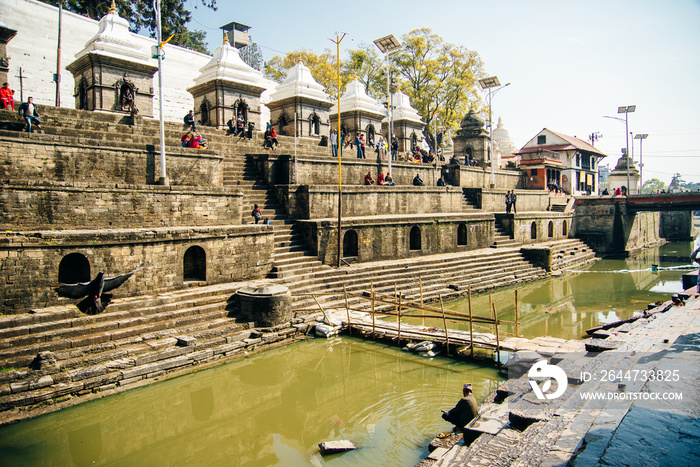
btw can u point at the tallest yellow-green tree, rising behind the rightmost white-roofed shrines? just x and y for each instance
(440, 79)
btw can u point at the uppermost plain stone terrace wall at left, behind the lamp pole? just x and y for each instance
(49, 161)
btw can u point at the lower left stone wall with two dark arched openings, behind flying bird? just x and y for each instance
(30, 262)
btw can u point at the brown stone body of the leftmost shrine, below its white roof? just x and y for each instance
(102, 83)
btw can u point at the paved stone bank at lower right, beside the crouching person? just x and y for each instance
(514, 428)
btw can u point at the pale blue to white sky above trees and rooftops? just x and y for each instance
(569, 62)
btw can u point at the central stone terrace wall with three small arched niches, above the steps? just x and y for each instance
(387, 238)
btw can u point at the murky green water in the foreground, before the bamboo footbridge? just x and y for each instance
(269, 409)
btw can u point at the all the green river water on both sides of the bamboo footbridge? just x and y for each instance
(273, 408)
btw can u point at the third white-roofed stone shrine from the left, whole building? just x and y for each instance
(299, 98)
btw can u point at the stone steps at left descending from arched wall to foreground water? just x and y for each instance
(57, 357)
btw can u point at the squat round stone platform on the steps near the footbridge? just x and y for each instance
(265, 303)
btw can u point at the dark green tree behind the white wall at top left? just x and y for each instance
(140, 14)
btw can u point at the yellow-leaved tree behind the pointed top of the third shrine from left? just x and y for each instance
(323, 68)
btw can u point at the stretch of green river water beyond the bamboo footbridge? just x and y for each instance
(567, 305)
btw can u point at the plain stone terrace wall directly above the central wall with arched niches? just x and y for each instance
(319, 202)
